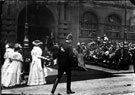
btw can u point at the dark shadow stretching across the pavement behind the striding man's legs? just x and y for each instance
(77, 75)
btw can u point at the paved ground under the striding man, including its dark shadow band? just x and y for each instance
(96, 81)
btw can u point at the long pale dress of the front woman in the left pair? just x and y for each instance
(12, 75)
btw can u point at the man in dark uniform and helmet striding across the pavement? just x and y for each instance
(64, 63)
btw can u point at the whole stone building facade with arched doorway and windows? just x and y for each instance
(56, 18)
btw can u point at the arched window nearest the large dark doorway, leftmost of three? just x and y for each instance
(88, 25)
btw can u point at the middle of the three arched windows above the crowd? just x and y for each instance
(113, 26)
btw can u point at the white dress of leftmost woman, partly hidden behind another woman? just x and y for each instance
(7, 56)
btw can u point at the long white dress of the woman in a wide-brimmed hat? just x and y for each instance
(36, 74)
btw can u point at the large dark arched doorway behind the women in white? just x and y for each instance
(41, 23)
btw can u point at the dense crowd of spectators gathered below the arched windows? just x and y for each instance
(104, 51)
